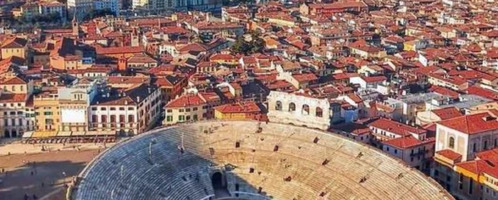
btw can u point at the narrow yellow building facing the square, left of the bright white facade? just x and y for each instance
(46, 105)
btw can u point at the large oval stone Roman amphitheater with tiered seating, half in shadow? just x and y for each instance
(248, 160)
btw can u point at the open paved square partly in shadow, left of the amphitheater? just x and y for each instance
(40, 174)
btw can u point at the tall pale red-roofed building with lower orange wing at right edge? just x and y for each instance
(465, 155)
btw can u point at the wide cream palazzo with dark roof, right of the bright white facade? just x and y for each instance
(126, 112)
